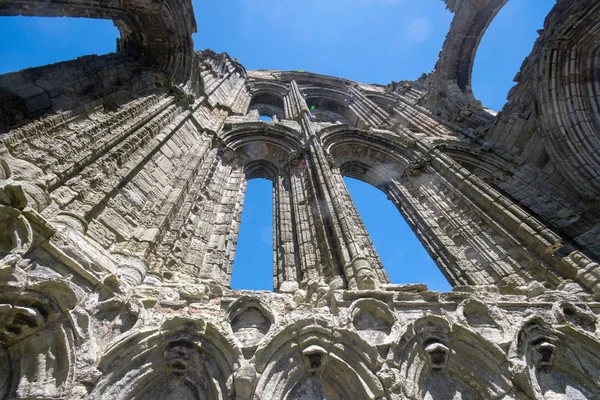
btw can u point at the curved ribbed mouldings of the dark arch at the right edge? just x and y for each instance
(568, 93)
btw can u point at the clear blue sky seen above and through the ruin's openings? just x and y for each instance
(371, 41)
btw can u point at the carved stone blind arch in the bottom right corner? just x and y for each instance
(560, 362)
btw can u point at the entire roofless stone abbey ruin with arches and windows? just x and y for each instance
(122, 183)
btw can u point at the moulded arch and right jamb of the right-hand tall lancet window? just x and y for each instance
(469, 245)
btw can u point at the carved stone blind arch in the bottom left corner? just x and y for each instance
(37, 340)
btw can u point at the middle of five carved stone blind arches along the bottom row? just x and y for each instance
(308, 359)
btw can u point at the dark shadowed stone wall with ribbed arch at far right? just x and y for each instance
(547, 131)
